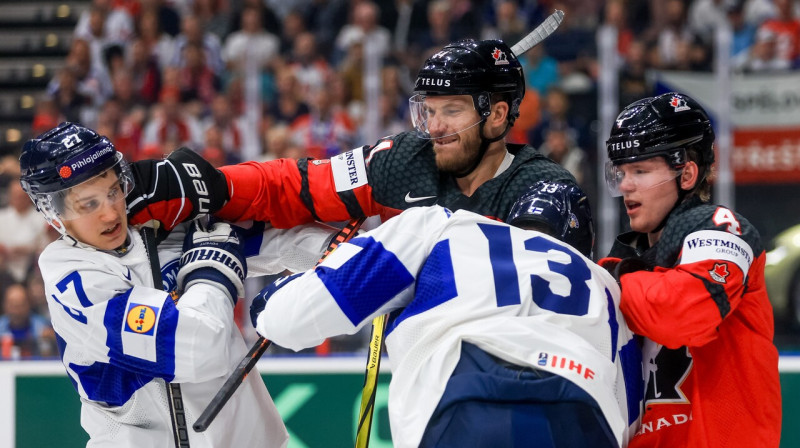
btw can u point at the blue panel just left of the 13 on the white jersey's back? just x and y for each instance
(436, 284)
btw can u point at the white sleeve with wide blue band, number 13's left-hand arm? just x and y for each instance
(371, 275)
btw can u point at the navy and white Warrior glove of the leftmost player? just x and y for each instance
(213, 256)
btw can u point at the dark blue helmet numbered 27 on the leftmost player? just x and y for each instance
(62, 158)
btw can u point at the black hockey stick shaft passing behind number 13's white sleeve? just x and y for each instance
(249, 361)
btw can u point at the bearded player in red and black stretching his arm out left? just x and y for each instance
(466, 99)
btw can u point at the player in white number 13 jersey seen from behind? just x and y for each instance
(497, 336)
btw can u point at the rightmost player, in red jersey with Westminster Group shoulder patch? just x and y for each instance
(692, 278)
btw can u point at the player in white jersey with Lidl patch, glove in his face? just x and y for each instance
(121, 337)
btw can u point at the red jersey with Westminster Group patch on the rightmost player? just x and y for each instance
(711, 368)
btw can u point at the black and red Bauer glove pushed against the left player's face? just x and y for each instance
(175, 189)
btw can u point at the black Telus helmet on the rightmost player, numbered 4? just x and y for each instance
(665, 126)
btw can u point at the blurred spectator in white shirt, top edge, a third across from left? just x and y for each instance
(251, 44)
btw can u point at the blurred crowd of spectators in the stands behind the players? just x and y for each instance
(154, 75)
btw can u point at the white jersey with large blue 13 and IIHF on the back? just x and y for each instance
(445, 277)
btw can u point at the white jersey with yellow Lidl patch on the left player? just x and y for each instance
(120, 339)
